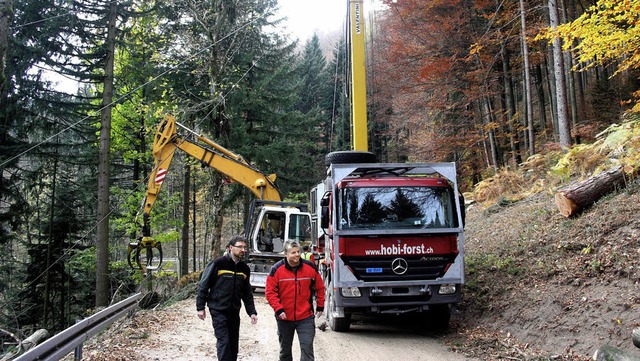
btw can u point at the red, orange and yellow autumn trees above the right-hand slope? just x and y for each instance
(448, 77)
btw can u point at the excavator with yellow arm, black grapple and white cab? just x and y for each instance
(269, 224)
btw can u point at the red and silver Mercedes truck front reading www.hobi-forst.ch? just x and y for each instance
(393, 240)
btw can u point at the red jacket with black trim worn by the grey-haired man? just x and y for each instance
(292, 291)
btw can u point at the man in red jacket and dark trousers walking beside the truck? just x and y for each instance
(291, 286)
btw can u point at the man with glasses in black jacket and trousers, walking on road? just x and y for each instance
(224, 283)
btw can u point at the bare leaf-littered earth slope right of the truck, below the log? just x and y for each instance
(540, 286)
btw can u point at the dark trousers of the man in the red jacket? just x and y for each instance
(306, 330)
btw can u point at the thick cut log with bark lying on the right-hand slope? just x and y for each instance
(577, 197)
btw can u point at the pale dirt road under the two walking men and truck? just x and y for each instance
(176, 333)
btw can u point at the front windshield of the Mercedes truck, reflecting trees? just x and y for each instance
(396, 207)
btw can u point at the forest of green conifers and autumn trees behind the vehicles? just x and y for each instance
(84, 83)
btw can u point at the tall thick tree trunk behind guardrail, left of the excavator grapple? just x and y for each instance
(102, 243)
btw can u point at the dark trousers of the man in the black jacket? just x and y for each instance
(226, 326)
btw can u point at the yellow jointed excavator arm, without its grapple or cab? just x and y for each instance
(167, 141)
